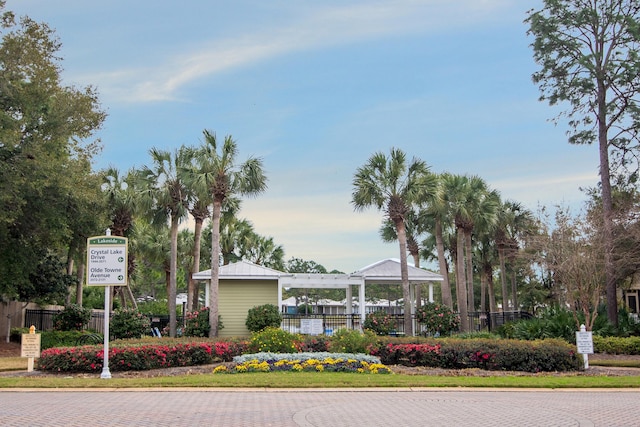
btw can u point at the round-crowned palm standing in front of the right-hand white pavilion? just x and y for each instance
(393, 186)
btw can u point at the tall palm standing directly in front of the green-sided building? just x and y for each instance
(219, 173)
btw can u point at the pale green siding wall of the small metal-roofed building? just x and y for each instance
(237, 297)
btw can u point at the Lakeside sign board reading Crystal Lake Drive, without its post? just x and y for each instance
(107, 261)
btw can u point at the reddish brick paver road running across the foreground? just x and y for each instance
(311, 408)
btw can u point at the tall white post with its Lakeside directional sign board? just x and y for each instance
(107, 265)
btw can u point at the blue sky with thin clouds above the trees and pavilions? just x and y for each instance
(314, 88)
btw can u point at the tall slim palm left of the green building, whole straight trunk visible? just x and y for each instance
(168, 198)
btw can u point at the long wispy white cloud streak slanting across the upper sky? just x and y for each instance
(314, 28)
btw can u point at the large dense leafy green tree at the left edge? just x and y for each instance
(49, 197)
